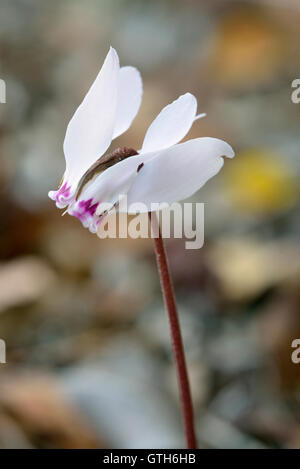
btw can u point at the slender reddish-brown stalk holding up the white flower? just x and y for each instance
(177, 343)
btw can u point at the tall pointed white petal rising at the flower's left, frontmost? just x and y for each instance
(90, 130)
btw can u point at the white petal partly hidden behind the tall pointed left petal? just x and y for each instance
(130, 89)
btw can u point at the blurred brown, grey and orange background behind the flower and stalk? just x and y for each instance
(89, 361)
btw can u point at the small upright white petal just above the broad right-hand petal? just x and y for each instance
(172, 124)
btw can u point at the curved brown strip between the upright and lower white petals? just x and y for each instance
(104, 162)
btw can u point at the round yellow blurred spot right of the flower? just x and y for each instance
(258, 181)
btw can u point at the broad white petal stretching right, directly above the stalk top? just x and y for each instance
(179, 171)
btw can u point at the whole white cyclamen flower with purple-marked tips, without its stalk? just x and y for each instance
(163, 171)
